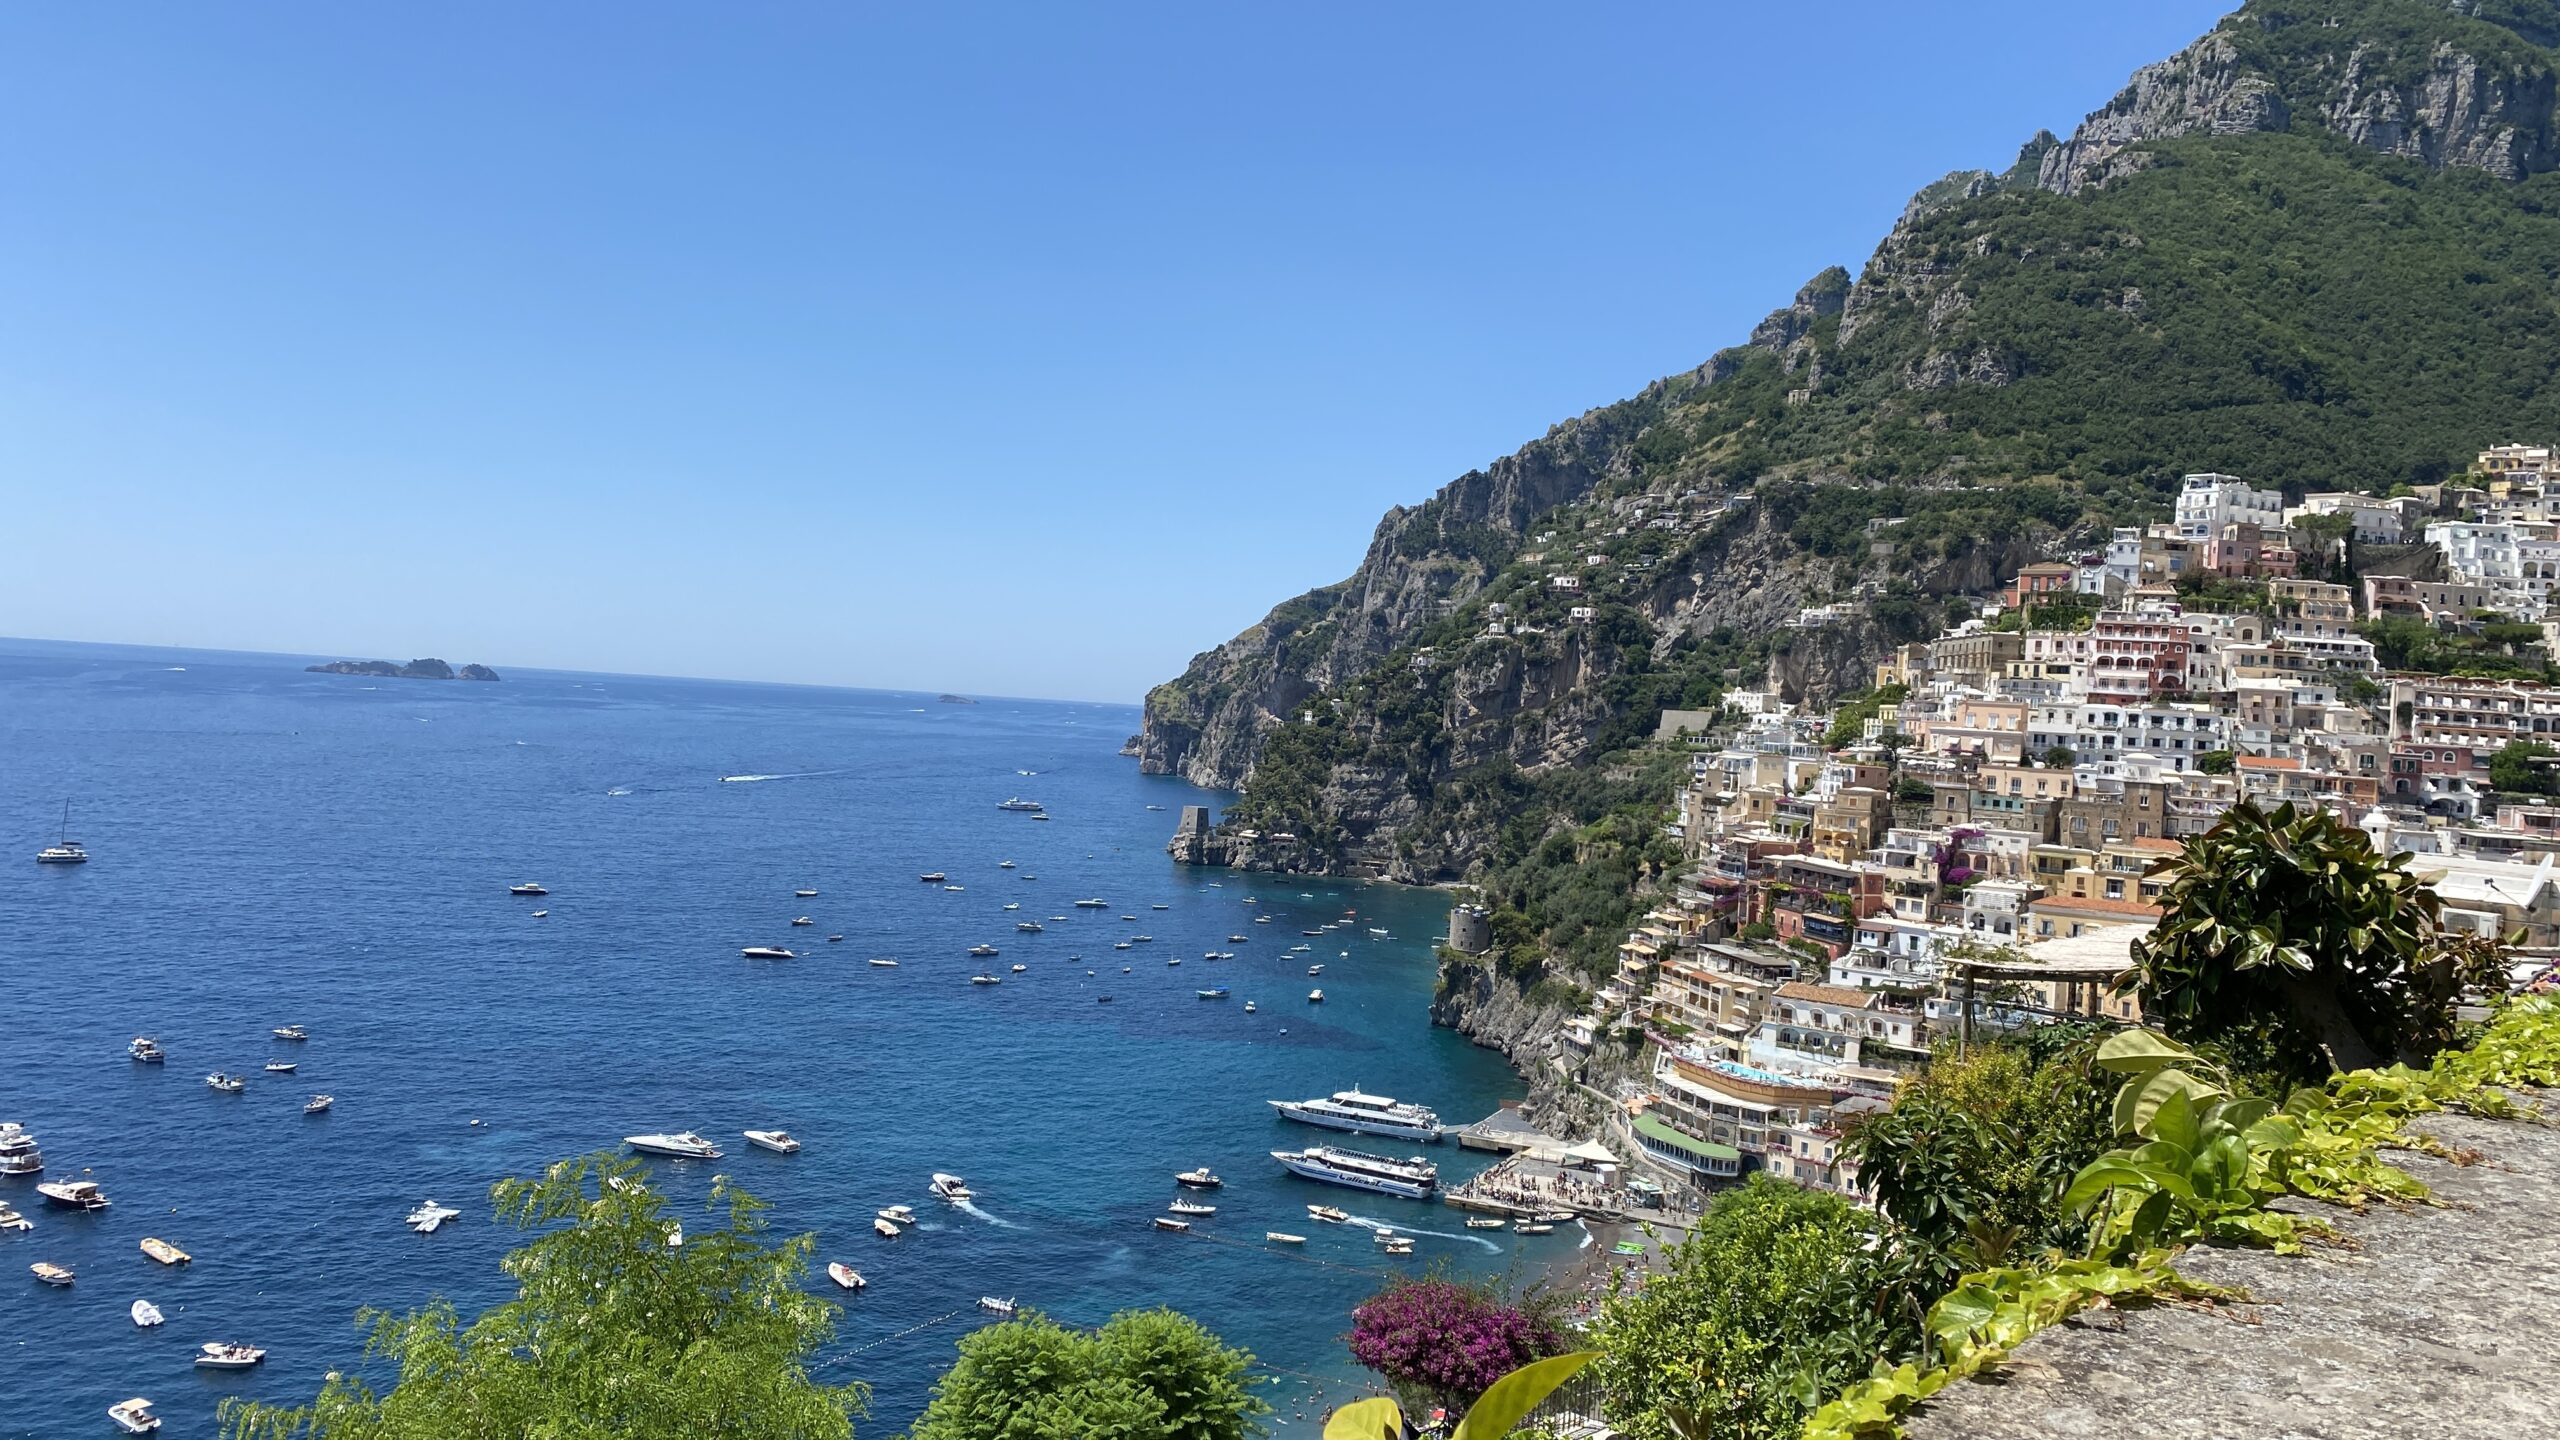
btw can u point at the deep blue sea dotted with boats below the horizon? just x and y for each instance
(334, 852)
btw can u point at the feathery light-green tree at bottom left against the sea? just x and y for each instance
(613, 1334)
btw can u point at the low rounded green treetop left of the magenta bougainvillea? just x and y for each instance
(1148, 1375)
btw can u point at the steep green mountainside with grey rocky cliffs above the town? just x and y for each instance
(2316, 250)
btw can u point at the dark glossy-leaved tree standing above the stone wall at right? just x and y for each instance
(2287, 939)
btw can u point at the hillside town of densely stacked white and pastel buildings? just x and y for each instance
(1970, 844)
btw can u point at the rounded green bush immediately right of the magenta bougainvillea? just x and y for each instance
(1773, 1303)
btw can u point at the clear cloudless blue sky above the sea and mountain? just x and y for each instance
(1020, 350)
